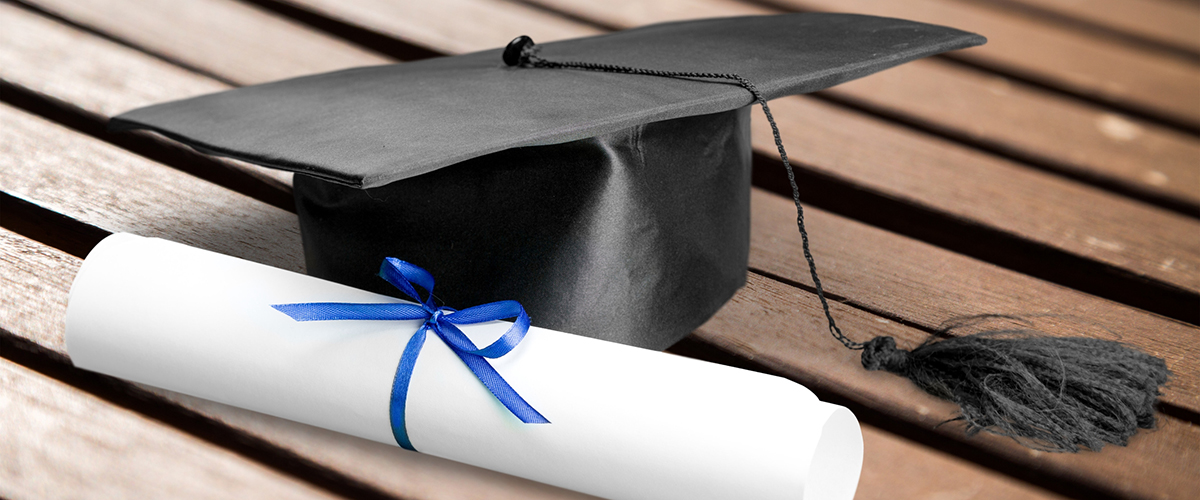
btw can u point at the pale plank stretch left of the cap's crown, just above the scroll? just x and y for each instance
(89, 180)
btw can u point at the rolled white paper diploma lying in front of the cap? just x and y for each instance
(627, 423)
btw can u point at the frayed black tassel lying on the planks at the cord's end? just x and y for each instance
(1052, 394)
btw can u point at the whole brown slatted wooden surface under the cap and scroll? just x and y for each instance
(1052, 174)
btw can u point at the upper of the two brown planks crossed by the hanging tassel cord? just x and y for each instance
(898, 164)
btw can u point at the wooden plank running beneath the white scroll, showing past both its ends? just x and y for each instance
(38, 276)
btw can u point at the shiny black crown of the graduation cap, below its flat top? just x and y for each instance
(634, 237)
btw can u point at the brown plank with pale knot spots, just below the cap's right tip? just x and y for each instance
(1000, 115)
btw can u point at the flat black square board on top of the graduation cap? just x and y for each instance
(376, 125)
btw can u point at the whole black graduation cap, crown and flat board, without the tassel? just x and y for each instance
(610, 206)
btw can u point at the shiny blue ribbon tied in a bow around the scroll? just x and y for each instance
(442, 321)
